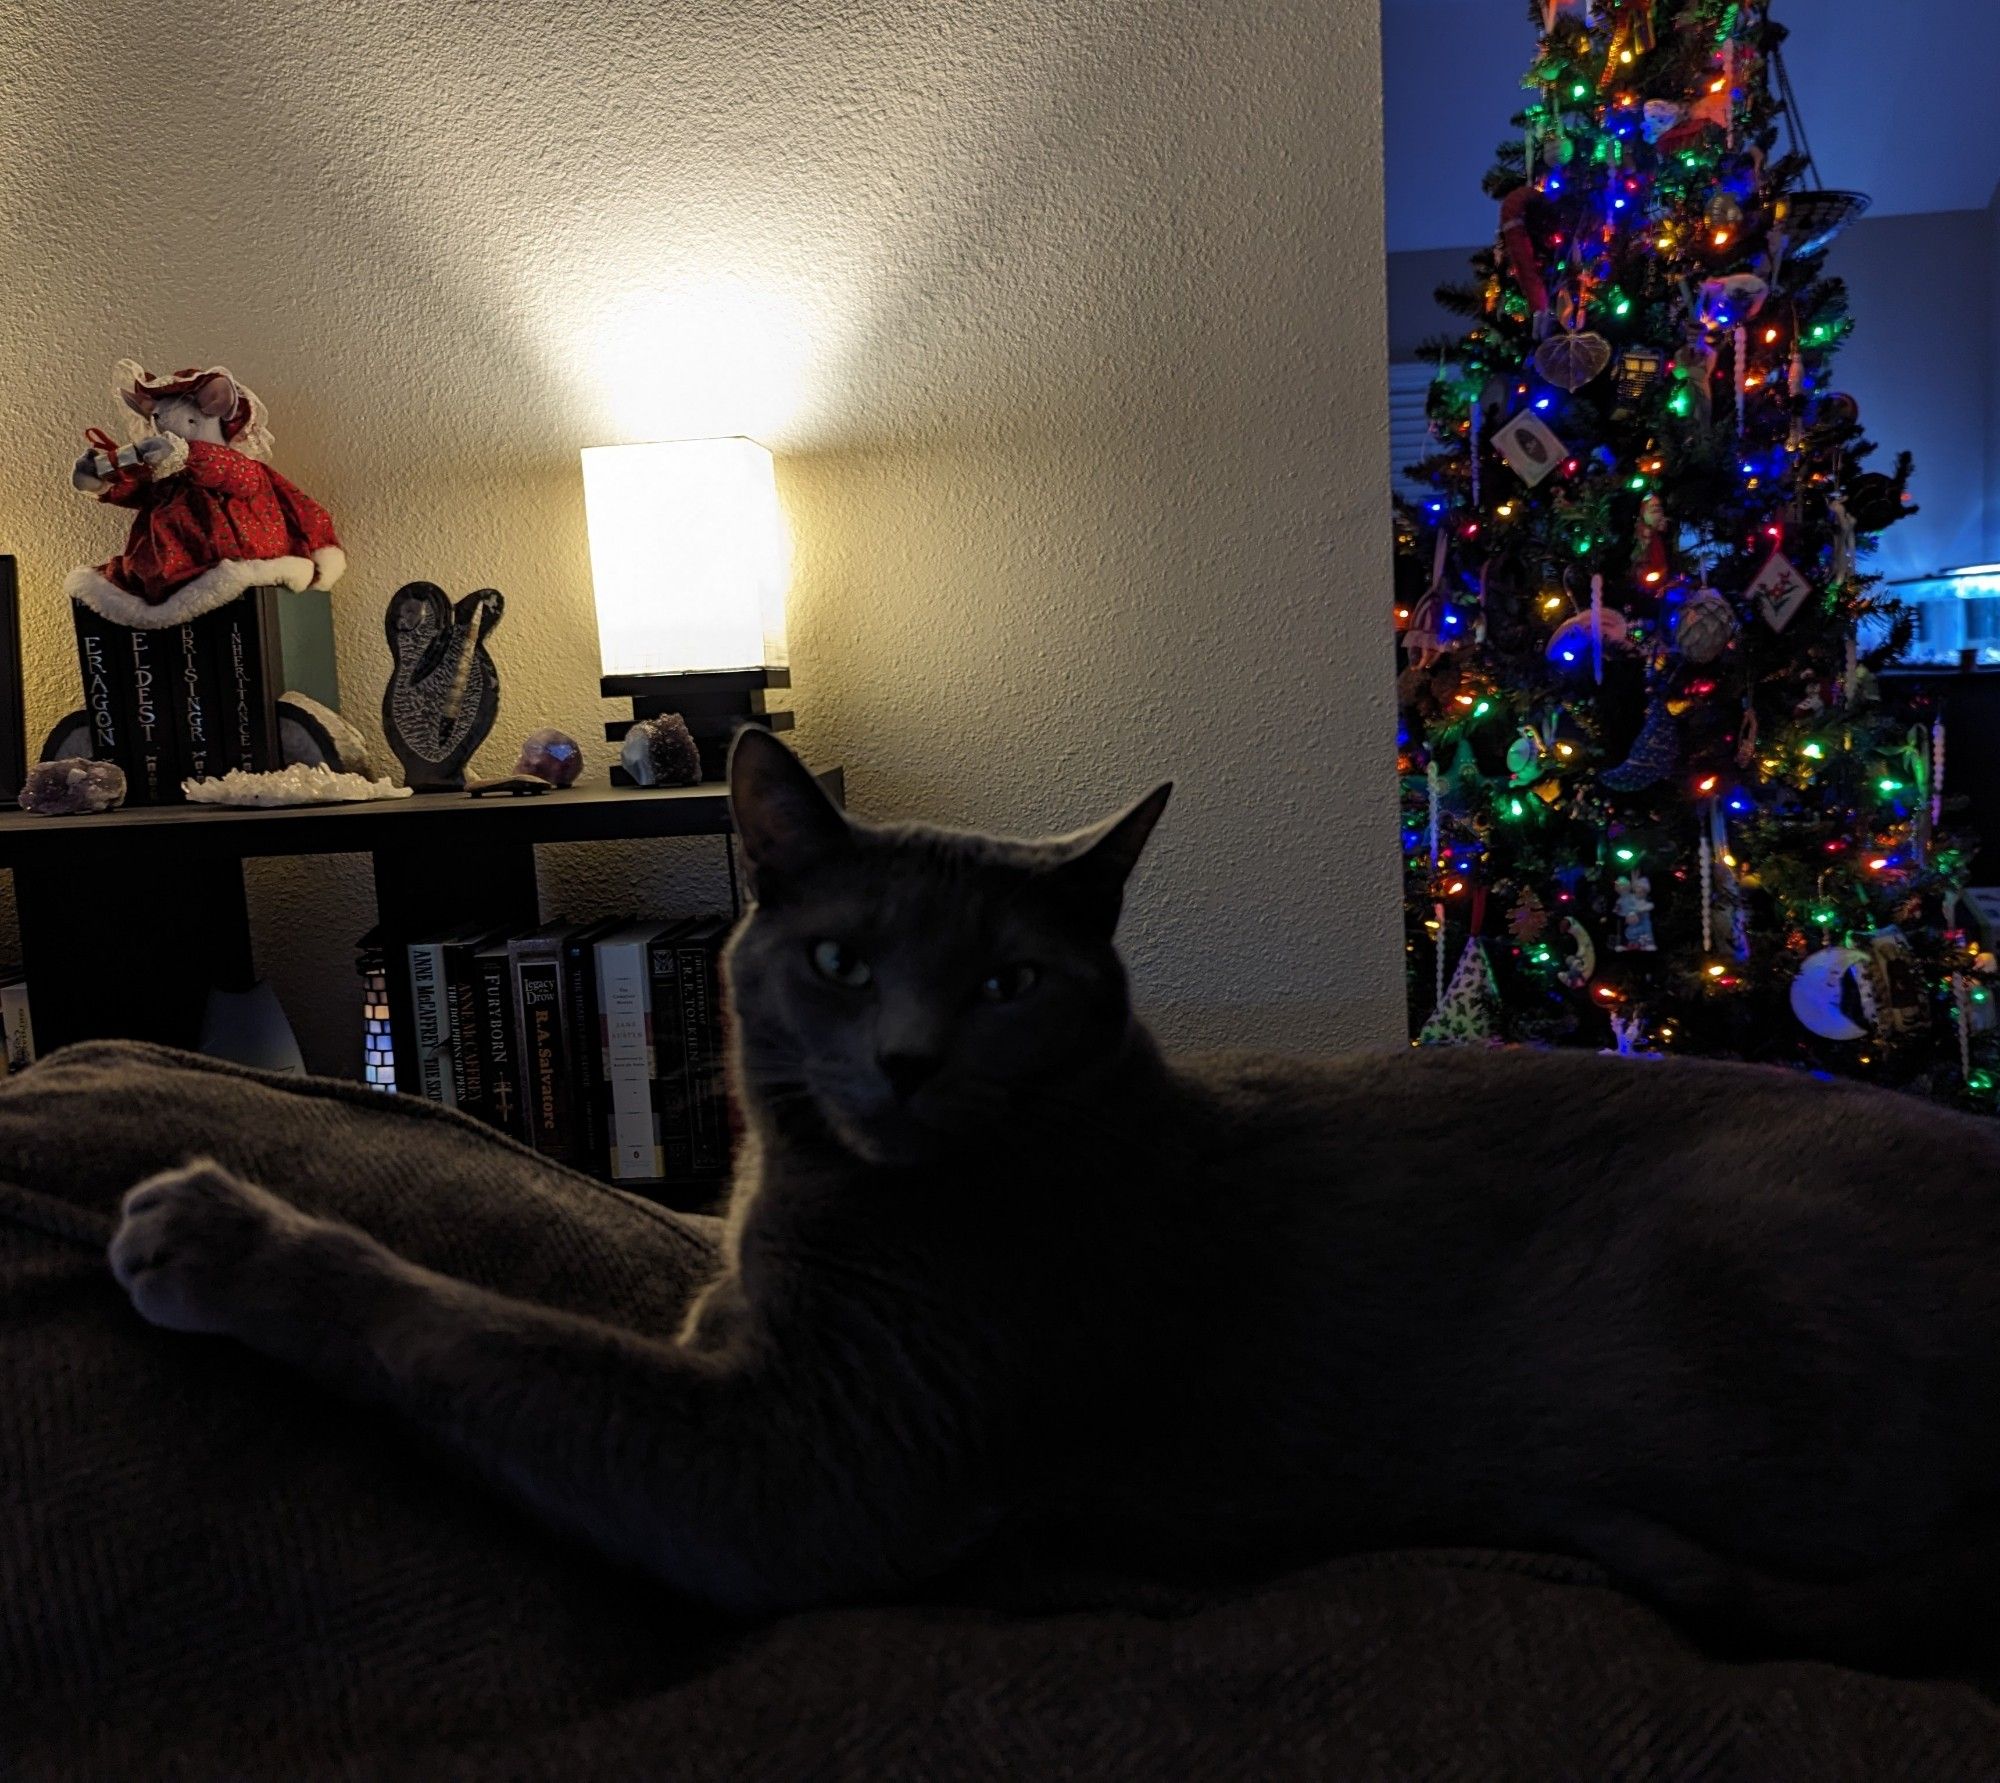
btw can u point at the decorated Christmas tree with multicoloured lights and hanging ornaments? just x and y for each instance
(1653, 793)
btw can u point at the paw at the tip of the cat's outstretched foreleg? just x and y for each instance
(191, 1244)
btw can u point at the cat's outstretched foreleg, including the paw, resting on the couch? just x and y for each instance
(743, 1478)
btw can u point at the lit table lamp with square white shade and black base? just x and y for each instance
(689, 565)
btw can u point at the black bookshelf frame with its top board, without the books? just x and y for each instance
(127, 918)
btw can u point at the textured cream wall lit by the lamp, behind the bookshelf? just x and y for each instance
(1065, 321)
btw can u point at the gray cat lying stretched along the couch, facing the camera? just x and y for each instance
(995, 1264)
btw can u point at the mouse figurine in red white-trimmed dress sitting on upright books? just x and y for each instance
(213, 521)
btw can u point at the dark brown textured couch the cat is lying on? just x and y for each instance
(213, 1570)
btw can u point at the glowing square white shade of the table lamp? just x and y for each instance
(689, 557)
